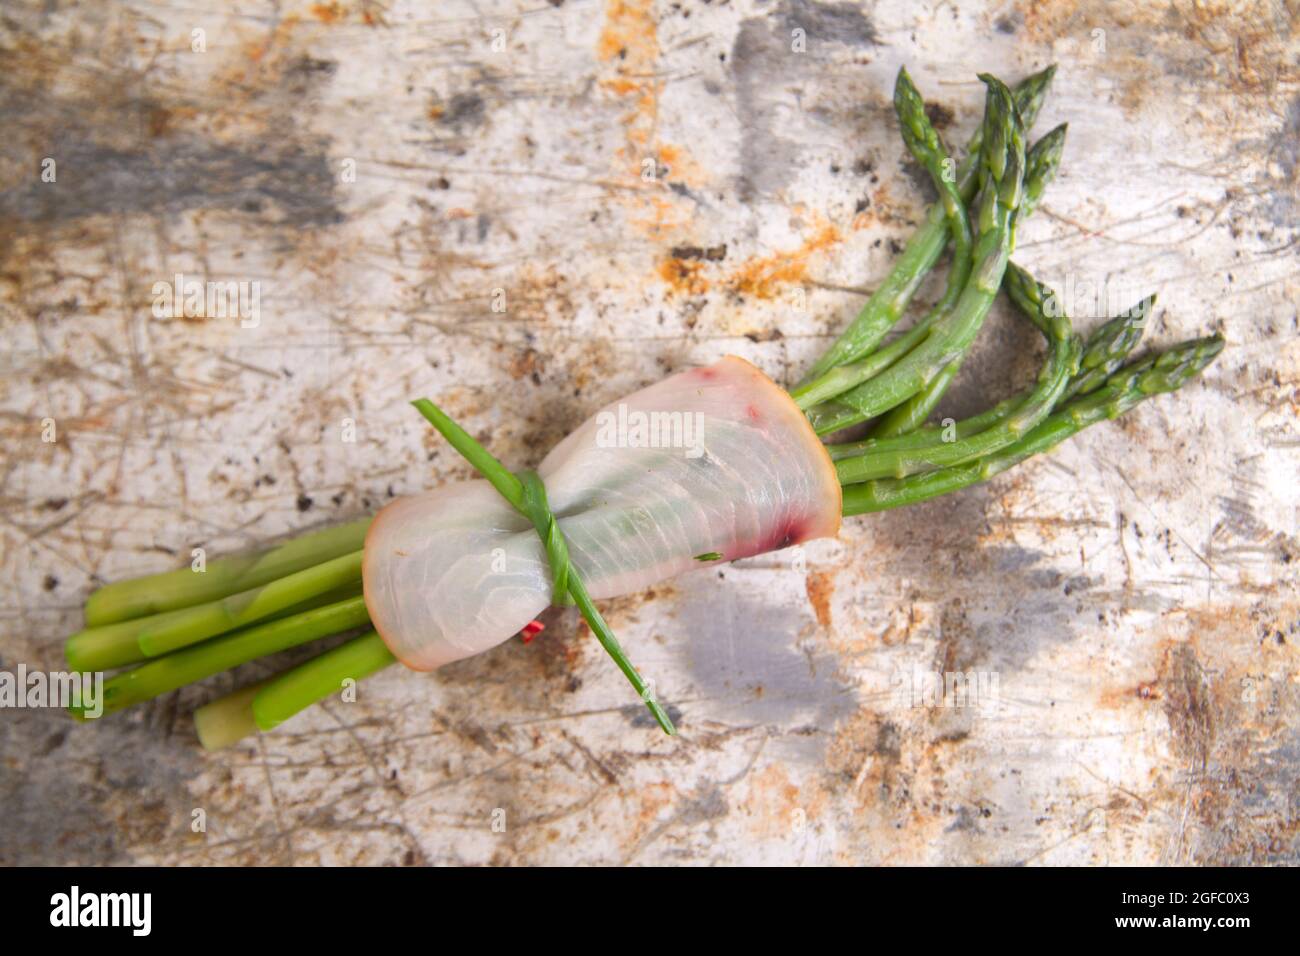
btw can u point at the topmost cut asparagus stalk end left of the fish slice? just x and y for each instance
(174, 590)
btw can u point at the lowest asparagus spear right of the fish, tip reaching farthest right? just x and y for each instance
(1165, 371)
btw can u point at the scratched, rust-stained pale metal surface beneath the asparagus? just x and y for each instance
(1134, 595)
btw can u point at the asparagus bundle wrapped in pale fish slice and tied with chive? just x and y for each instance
(465, 568)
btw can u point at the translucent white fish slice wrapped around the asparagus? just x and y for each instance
(716, 460)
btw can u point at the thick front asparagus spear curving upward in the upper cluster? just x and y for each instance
(1003, 166)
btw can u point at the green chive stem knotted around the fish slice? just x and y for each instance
(527, 496)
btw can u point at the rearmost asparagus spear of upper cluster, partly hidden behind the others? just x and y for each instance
(887, 305)
